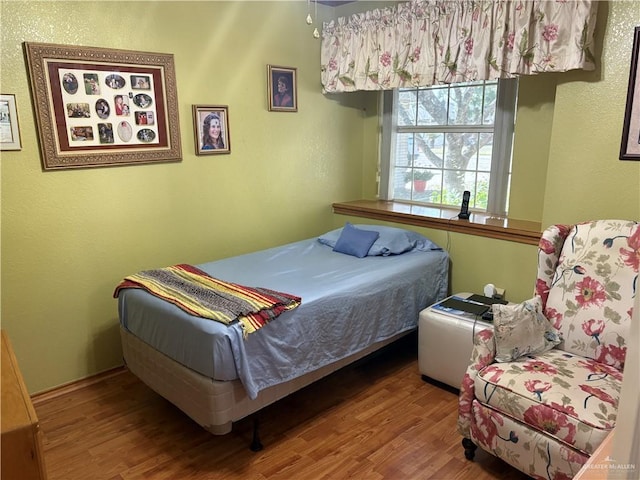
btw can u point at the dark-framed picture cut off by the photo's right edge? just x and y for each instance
(630, 146)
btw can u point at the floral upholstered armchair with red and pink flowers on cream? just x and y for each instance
(545, 413)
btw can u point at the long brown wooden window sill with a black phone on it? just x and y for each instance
(519, 231)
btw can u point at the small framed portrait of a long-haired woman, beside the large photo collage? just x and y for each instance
(211, 128)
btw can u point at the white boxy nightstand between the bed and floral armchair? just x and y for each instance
(445, 342)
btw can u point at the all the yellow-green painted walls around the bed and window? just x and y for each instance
(68, 237)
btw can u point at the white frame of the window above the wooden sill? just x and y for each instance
(503, 134)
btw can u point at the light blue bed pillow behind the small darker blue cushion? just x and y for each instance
(392, 240)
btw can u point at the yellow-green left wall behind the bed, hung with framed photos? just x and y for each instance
(68, 237)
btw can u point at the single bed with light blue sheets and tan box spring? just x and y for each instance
(352, 305)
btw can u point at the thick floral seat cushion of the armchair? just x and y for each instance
(570, 398)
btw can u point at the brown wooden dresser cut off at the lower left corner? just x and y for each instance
(21, 442)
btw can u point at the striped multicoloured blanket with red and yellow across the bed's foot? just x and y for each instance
(199, 294)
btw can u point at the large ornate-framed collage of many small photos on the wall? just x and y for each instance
(99, 107)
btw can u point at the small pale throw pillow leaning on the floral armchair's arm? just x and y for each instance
(522, 329)
